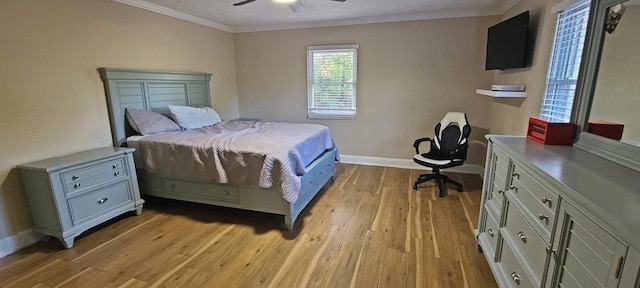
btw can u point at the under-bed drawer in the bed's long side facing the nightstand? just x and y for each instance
(209, 191)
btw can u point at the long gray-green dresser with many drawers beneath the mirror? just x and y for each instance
(557, 216)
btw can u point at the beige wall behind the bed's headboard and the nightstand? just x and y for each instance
(51, 98)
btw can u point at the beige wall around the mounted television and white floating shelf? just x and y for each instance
(511, 115)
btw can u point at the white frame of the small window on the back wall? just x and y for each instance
(314, 112)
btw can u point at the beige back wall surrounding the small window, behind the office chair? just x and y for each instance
(409, 75)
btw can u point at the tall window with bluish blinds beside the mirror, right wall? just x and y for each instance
(565, 62)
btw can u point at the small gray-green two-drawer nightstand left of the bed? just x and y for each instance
(70, 194)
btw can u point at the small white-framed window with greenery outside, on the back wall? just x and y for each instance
(331, 80)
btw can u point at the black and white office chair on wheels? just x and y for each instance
(448, 149)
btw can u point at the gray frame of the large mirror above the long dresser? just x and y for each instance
(621, 153)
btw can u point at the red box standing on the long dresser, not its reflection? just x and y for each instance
(550, 133)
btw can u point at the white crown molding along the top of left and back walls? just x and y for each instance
(317, 24)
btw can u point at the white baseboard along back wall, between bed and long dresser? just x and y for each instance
(406, 164)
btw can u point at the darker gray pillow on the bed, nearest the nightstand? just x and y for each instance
(149, 122)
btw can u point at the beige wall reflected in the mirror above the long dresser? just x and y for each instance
(617, 95)
